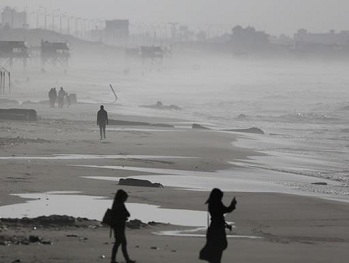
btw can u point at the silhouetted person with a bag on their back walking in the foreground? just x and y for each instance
(119, 218)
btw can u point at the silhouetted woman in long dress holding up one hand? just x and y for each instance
(216, 239)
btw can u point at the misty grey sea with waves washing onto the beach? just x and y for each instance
(301, 105)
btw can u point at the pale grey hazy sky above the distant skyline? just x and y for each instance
(273, 16)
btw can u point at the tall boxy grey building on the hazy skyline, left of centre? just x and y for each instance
(117, 31)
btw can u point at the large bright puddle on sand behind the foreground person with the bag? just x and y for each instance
(93, 207)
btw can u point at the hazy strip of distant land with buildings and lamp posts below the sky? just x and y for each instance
(151, 43)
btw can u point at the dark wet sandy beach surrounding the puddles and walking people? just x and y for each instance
(289, 228)
